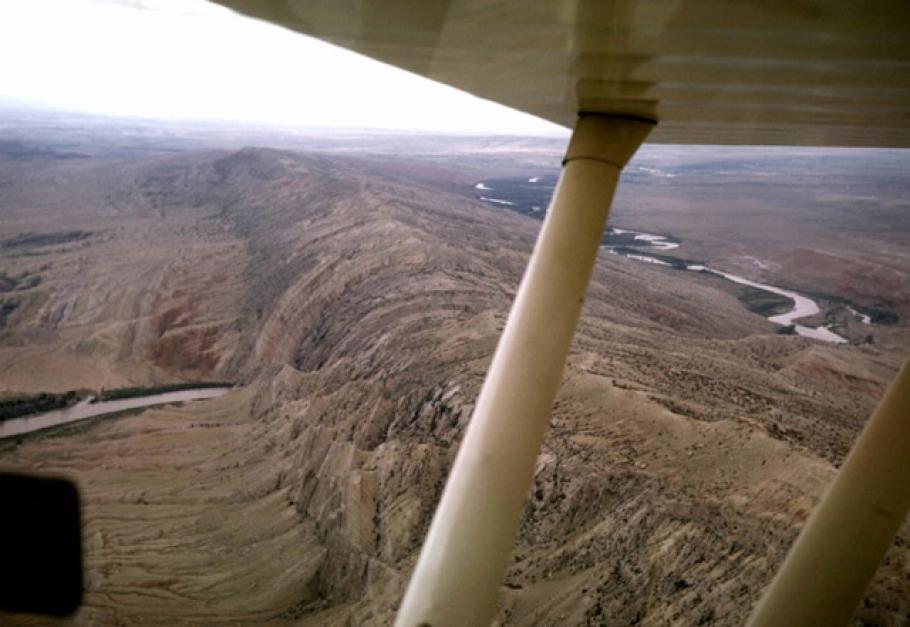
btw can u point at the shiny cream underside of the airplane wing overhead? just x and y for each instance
(781, 72)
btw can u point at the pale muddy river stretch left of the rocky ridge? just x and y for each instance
(87, 409)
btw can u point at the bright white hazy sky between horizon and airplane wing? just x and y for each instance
(191, 59)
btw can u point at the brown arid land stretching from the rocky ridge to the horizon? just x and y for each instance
(354, 292)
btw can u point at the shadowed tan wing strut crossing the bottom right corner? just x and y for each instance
(838, 551)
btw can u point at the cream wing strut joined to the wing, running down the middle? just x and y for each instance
(458, 575)
